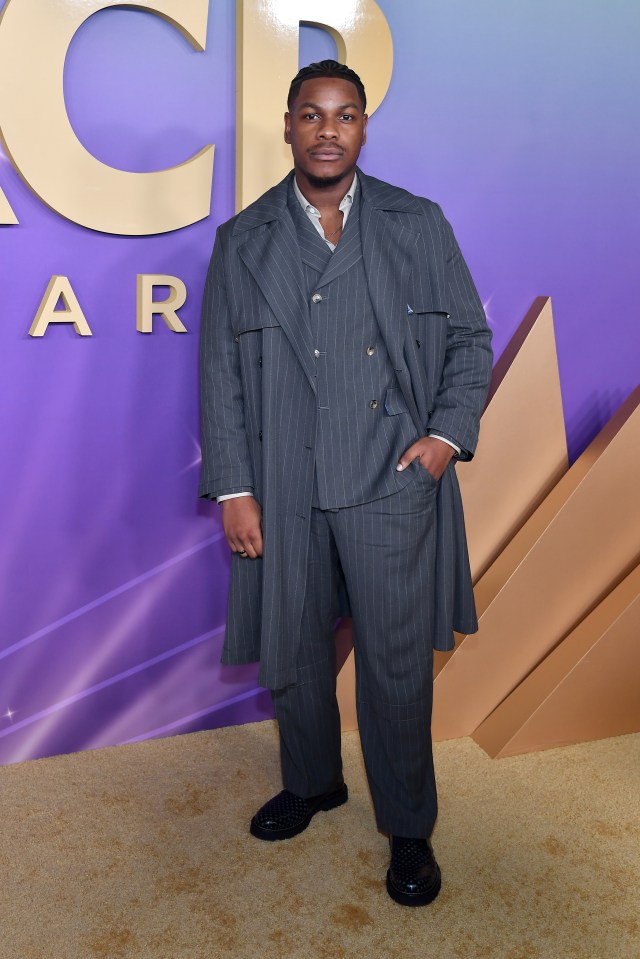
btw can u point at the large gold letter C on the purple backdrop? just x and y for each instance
(34, 39)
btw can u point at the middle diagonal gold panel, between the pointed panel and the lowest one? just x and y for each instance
(562, 562)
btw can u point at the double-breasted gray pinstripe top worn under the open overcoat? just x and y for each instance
(356, 447)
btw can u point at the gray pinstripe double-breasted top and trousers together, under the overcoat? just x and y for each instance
(382, 553)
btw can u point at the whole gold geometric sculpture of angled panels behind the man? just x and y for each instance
(549, 547)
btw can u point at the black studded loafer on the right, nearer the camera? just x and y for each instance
(414, 877)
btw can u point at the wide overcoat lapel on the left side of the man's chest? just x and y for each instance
(271, 255)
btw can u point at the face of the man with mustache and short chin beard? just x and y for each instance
(326, 129)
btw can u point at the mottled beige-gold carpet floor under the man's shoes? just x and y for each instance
(143, 851)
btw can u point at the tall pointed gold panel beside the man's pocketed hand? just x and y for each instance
(523, 449)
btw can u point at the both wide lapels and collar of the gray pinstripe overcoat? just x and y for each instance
(389, 229)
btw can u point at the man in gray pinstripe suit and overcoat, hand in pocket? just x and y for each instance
(345, 363)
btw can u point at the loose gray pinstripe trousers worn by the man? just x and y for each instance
(383, 553)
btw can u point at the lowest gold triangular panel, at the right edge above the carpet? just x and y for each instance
(587, 688)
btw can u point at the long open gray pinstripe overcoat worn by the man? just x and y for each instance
(259, 406)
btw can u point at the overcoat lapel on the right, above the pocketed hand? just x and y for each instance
(388, 249)
